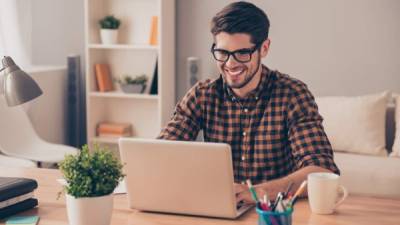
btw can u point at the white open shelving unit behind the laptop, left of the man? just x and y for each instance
(134, 56)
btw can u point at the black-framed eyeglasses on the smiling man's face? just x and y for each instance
(242, 55)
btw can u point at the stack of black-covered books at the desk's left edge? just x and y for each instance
(16, 195)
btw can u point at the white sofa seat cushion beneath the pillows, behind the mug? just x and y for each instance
(369, 175)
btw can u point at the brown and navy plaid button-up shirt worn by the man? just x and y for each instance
(272, 132)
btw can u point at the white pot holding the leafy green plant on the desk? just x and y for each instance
(89, 211)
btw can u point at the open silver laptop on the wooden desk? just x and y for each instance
(193, 178)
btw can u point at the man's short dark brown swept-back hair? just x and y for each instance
(242, 17)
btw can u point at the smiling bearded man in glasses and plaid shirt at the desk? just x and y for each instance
(270, 120)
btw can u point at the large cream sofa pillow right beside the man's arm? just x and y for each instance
(355, 124)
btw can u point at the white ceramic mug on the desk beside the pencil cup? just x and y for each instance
(323, 192)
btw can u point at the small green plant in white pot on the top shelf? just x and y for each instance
(109, 29)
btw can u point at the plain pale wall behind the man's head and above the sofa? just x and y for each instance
(342, 47)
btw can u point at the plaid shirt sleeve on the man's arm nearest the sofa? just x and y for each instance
(308, 141)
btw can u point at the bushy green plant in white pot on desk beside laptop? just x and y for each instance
(91, 177)
